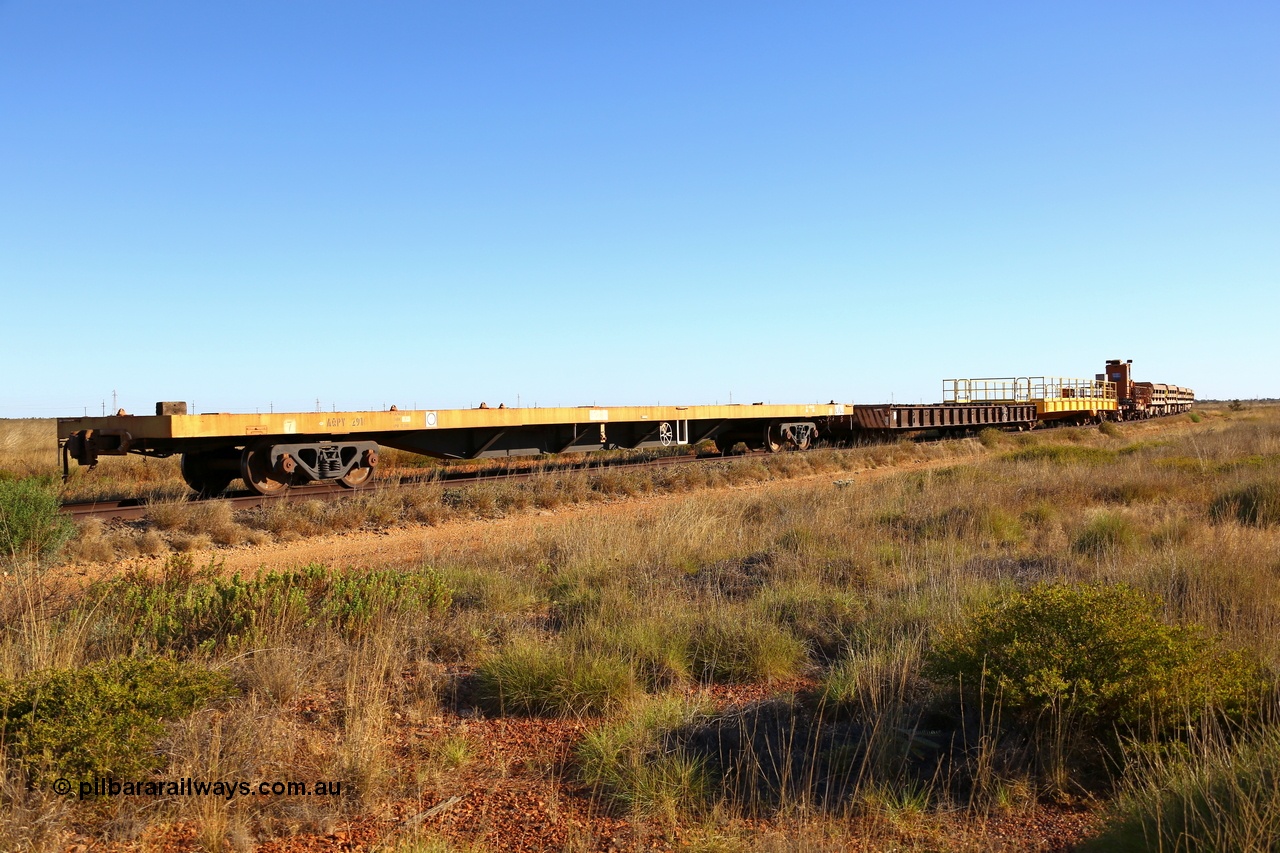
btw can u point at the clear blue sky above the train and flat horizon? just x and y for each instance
(262, 204)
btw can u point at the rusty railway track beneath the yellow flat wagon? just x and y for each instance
(135, 509)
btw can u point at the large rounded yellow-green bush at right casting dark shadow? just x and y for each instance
(1095, 653)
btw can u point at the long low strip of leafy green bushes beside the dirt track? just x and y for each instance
(189, 610)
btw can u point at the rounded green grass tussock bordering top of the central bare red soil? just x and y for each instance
(541, 679)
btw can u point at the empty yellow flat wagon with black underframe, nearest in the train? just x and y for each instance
(275, 451)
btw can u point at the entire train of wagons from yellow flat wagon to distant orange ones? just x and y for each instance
(277, 451)
